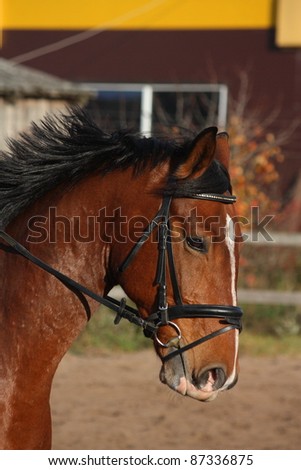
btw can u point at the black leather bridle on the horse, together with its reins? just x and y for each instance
(228, 315)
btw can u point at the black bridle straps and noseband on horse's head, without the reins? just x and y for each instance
(229, 315)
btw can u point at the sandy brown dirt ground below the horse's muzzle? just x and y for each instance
(115, 401)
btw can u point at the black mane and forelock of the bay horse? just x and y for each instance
(67, 148)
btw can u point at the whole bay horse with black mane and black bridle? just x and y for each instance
(82, 210)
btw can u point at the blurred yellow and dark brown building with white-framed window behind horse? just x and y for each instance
(148, 62)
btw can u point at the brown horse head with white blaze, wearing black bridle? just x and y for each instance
(182, 270)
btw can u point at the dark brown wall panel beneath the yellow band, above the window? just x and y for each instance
(190, 56)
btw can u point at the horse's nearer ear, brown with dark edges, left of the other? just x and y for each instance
(200, 155)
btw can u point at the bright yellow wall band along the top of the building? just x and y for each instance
(136, 14)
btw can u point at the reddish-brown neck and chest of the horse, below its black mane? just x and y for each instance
(39, 316)
